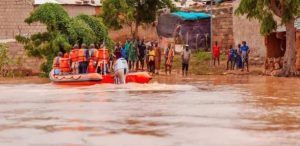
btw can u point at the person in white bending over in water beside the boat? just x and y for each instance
(121, 70)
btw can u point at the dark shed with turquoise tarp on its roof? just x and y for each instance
(192, 28)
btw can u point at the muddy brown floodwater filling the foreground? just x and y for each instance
(198, 111)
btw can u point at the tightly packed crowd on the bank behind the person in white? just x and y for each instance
(143, 55)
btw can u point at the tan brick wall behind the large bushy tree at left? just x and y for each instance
(12, 15)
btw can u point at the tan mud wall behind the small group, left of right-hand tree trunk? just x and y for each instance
(249, 31)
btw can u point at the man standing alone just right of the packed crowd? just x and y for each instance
(185, 56)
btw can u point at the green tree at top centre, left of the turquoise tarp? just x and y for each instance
(119, 12)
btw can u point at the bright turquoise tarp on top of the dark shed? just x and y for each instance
(191, 15)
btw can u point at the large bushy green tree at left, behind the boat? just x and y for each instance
(62, 32)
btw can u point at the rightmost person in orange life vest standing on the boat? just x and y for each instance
(103, 59)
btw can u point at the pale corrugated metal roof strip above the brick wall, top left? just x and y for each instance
(70, 2)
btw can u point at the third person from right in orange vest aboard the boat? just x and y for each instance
(83, 58)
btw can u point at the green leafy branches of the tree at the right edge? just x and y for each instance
(264, 11)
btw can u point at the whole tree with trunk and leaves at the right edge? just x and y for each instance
(265, 11)
